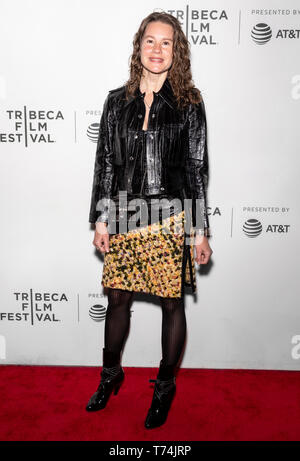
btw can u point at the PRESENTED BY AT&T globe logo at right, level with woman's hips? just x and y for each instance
(253, 227)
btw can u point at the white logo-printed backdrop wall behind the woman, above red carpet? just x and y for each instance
(58, 60)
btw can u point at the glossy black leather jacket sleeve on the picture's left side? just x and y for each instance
(103, 167)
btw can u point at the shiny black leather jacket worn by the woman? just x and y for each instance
(169, 160)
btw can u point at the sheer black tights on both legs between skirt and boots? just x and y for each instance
(118, 320)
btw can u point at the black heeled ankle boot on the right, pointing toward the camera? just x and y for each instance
(164, 391)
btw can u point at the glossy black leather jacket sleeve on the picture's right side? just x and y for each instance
(196, 167)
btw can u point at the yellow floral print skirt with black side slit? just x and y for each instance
(153, 259)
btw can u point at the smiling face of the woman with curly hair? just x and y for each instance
(157, 47)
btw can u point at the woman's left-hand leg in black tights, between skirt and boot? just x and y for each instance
(117, 319)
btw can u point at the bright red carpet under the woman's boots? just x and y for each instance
(48, 403)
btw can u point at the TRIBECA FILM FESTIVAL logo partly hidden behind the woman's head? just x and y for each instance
(197, 24)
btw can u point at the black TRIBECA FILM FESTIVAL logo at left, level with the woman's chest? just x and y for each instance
(28, 126)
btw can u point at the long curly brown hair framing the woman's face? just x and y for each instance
(179, 75)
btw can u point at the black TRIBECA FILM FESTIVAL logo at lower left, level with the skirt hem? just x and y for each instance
(35, 307)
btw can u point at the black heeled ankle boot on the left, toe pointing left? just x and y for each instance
(112, 376)
